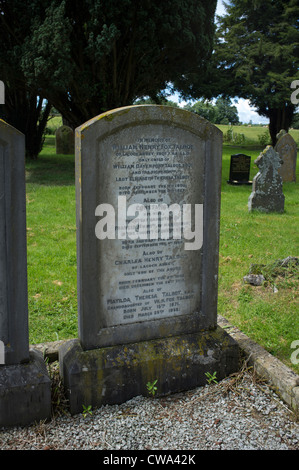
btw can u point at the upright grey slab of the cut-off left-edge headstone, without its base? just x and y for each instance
(13, 247)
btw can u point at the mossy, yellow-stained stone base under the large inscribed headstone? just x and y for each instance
(115, 374)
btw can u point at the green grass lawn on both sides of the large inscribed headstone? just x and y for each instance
(268, 314)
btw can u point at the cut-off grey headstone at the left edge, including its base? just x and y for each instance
(25, 388)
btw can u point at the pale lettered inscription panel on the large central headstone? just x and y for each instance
(148, 278)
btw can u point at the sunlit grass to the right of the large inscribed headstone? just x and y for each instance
(269, 313)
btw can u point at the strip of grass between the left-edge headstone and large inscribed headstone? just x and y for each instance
(51, 241)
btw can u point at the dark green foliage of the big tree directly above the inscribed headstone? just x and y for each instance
(90, 56)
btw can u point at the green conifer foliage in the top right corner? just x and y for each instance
(256, 57)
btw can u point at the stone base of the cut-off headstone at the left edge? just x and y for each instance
(25, 392)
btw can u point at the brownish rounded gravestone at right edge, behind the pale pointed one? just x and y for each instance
(287, 149)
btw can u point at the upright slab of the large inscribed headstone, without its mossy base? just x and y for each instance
(138, 289)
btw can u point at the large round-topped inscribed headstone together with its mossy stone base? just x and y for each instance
(147, 278)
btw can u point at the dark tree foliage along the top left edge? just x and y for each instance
(24, 107)
